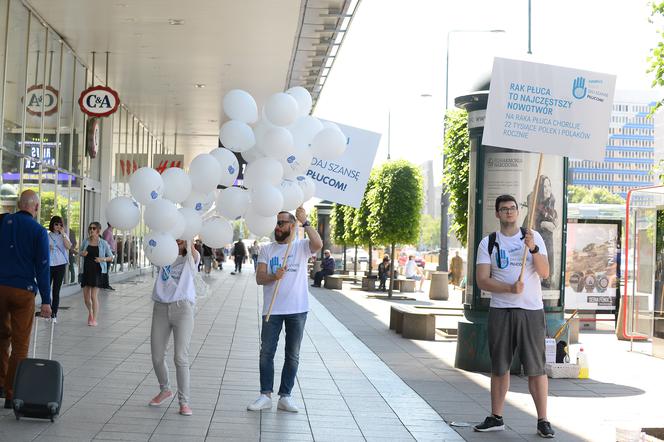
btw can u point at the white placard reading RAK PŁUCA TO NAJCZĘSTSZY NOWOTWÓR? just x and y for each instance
(549, 109)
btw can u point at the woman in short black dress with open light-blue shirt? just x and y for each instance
(96, 255)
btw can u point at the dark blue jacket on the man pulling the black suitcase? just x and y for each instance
(24, 255)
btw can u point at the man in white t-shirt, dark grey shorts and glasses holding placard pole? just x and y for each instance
(516, 313)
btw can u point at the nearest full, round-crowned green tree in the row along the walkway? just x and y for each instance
(396, 206)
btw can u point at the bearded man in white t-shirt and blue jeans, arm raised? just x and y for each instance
(290, 306)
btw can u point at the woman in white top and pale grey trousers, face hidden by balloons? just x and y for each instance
(174, 295)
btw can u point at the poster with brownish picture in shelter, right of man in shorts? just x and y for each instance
(592, 261)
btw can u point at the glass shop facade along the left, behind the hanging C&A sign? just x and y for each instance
(43, 136)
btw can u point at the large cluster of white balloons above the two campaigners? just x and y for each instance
(278, 149)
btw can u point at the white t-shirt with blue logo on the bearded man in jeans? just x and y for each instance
(293, 296)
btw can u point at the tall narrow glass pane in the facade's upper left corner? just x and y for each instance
(15, 81)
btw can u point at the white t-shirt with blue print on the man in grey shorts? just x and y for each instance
(505, 263)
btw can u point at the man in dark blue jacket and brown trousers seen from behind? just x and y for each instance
(24, 268)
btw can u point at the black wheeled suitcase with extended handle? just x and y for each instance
(38, 384)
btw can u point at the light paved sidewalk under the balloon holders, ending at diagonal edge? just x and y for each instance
(345, 391)
